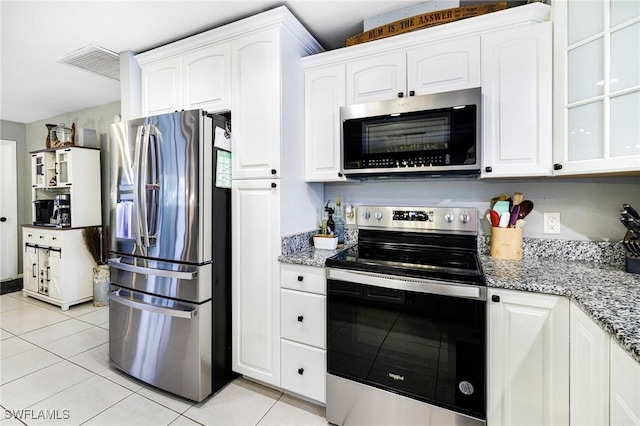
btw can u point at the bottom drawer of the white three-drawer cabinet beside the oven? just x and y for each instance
(303, 370)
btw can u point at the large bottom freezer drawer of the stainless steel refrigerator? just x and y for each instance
(162, 342)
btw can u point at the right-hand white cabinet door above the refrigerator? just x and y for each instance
(206, 81)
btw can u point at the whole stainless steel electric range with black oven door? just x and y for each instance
(406, 337)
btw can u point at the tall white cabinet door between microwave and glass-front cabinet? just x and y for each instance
(516, 102)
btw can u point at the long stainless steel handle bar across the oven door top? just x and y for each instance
(417, 285)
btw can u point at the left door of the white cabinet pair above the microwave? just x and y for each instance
(377, 78)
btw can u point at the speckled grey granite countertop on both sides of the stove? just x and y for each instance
(608, 294)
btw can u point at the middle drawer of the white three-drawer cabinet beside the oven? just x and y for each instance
(303, 318)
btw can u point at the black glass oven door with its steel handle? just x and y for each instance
(409, 338)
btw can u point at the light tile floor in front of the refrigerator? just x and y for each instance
(54, 366)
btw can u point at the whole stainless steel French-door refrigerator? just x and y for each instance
(169, 303)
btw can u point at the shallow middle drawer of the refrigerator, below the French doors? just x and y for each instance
(173, 280)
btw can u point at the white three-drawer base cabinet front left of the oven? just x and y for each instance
(303, 330)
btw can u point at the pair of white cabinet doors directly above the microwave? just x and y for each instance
(437, 67)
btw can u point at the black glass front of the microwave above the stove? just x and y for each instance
(441, 137)
